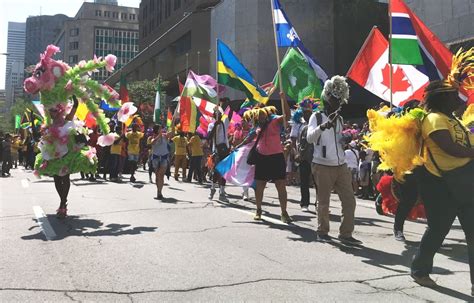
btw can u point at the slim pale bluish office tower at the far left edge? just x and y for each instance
(15, 61)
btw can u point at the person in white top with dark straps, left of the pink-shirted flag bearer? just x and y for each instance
(219, 144)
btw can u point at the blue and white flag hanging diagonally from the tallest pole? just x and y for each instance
(287, 37)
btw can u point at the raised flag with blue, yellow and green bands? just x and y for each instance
(232, 73)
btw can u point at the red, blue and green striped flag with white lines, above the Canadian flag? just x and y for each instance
(404, 40)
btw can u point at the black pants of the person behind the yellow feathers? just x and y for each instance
(408, 195)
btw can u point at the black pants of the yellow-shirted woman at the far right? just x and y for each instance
(441, 210)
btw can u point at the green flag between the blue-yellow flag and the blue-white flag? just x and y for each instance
(299, 79)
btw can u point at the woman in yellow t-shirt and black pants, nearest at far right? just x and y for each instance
(446, 151)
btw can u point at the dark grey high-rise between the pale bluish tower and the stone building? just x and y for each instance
(40, 32)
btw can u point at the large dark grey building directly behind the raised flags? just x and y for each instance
(179, 35)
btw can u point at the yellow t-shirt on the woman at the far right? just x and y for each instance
(438, 121)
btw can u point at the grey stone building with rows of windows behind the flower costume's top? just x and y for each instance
(100, 29)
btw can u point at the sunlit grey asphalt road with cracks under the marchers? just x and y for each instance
(121, 245)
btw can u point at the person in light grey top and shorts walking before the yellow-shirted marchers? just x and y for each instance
(159, 156)
